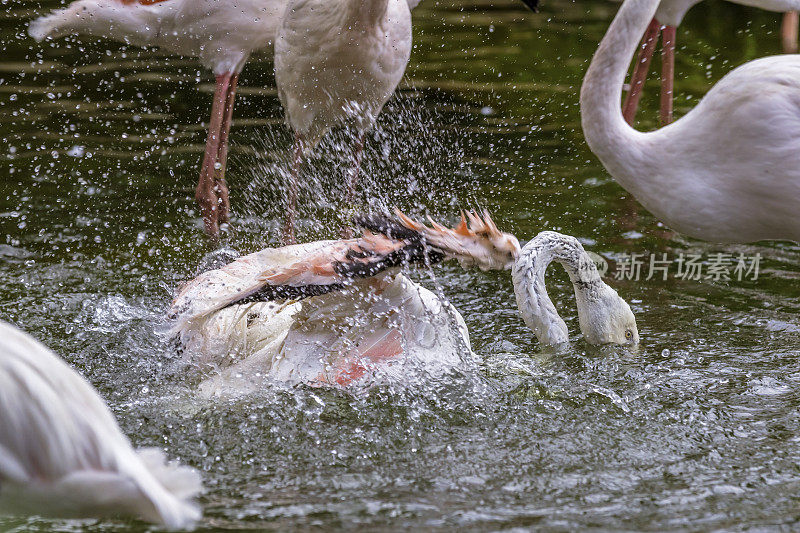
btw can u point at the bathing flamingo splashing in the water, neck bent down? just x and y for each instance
(340, 313)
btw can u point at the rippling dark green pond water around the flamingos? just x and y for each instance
(698, 429)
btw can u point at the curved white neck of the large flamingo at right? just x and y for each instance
(616, 144)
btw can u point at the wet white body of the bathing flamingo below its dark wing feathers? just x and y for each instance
(378, 328)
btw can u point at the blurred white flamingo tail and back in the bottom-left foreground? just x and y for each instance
(62, 454)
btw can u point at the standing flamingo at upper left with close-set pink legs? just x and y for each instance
(221, 34)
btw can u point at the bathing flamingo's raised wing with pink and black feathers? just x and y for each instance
(302, 271)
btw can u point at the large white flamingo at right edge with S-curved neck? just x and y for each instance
(728, 171)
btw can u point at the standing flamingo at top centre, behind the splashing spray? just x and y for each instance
(335, 62)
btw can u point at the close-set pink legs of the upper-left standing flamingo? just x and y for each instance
(207, 190)
